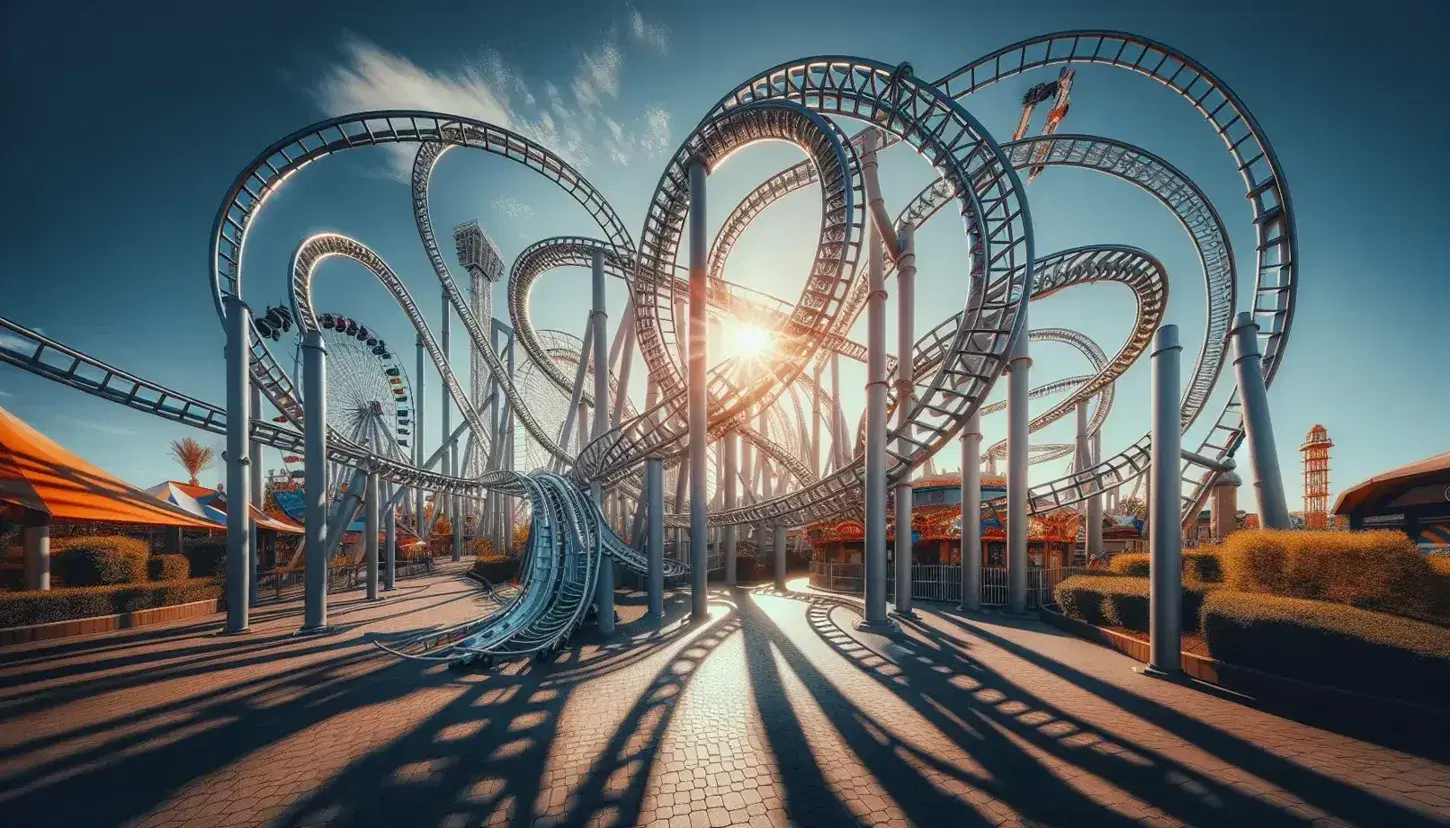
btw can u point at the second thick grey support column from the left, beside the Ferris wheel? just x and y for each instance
(315, 481)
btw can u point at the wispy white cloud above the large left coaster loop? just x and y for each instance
(581, 120)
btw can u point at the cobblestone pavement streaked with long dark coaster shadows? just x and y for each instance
(776, 713)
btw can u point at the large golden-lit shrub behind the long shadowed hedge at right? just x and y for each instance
(1378, 571)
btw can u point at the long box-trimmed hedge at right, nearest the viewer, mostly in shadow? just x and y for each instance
(1330, 645)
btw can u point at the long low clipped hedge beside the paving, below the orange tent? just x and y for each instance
(25, 608)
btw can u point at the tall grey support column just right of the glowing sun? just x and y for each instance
(875, 414)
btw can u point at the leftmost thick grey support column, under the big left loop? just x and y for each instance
(239, 466)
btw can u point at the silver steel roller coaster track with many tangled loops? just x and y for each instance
(953, 366)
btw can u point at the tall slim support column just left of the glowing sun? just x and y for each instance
(700, 424)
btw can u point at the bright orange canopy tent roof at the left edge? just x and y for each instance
(38, 475)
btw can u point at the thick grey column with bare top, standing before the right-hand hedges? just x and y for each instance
(1165, 502)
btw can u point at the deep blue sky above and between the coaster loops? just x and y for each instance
(130, 124)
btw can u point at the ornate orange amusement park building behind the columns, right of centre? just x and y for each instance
(937, 530)
